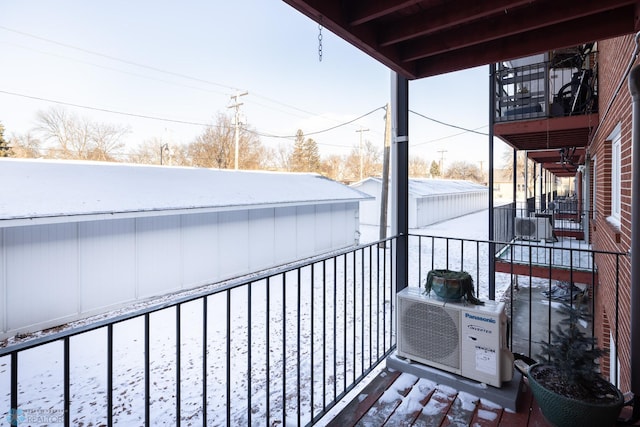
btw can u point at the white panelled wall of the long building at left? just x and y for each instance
(55, 273)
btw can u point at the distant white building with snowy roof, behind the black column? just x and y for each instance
(430, 200)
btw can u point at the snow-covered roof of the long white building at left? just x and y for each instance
(53, 191)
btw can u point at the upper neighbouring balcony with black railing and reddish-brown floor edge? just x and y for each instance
(548, 101)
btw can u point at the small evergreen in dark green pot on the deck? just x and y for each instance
(568, 386)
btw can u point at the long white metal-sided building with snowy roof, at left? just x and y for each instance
(79, 238)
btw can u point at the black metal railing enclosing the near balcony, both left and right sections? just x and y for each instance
(276, 347)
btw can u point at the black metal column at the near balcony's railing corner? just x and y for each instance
(400, 175)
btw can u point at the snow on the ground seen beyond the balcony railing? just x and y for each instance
(271, 367)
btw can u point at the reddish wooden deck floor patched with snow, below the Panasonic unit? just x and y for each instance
(399, 399)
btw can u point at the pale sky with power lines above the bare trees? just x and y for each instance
(182, 61)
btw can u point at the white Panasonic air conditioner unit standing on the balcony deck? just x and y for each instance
(468, 340)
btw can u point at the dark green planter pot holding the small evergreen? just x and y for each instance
(563, 411)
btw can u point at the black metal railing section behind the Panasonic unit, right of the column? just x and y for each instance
(532, 299)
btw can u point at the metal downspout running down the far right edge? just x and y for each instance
(634, 89)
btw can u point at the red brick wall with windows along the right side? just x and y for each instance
(615, 109)
